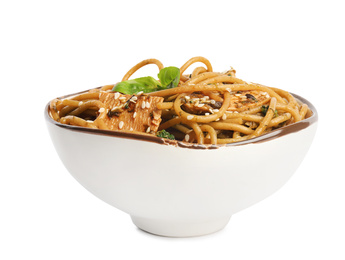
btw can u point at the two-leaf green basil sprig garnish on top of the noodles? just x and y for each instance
(169, 78)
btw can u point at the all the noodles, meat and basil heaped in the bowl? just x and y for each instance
(203, 107)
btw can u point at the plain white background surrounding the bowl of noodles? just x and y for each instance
(53, 48)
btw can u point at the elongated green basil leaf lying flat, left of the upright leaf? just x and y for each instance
(133, 86)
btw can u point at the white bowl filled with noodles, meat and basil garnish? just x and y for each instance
(116, 141)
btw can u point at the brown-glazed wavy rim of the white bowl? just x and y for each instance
(286, 130)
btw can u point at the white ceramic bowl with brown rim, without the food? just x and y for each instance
(172, 189)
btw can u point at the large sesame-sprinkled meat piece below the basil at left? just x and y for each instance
(130, 112)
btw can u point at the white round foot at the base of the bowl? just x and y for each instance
(178, 228)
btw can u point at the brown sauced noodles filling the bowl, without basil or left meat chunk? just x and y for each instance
(206, 107)
